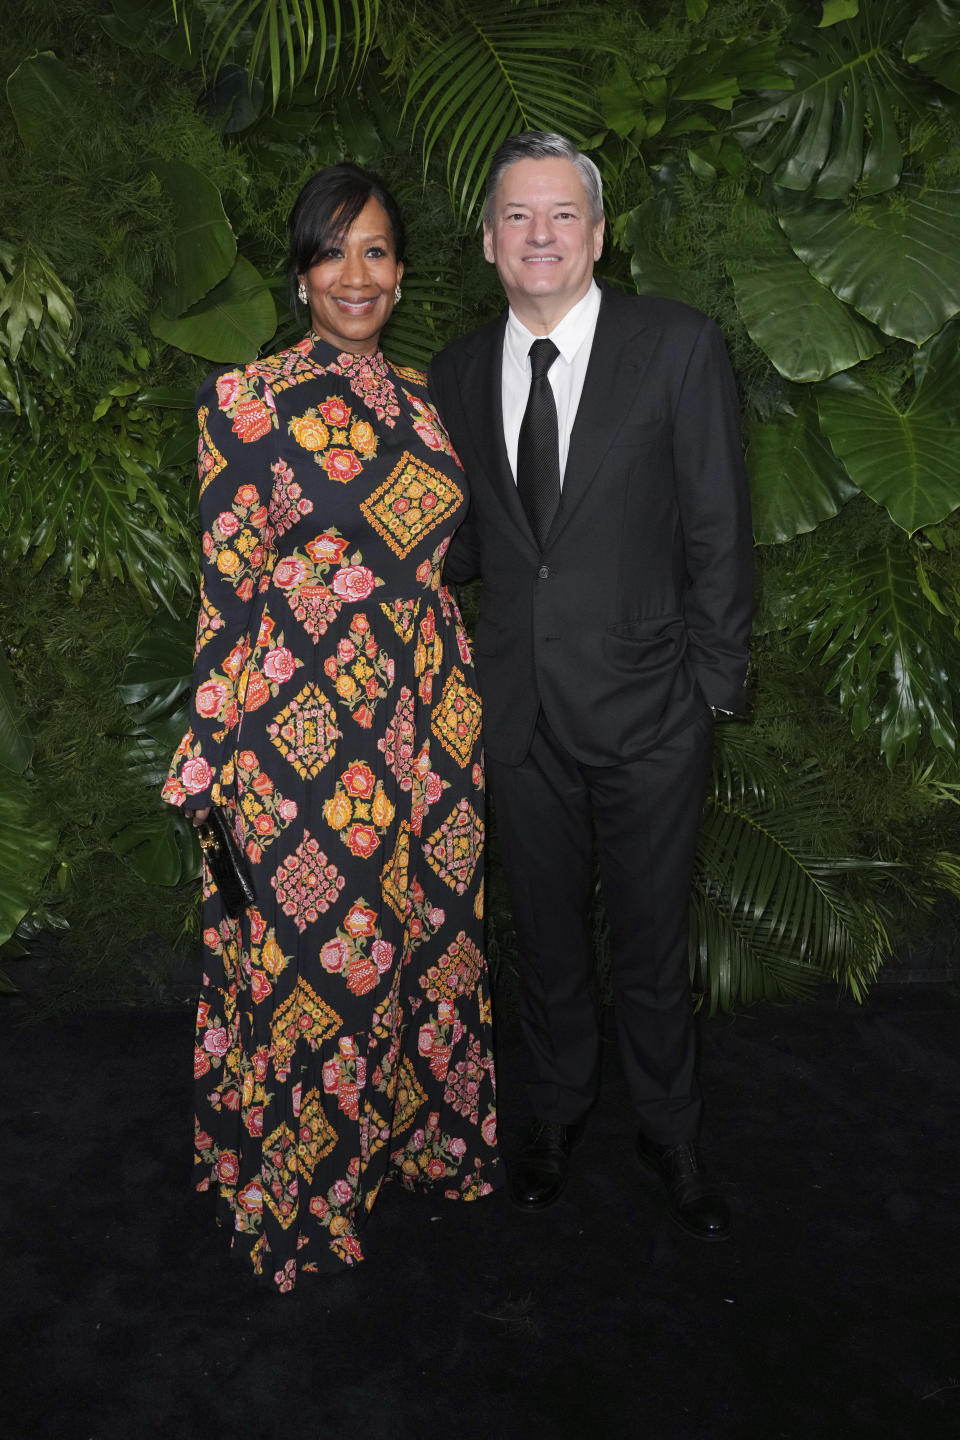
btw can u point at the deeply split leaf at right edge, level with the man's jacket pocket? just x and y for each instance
(887, 650)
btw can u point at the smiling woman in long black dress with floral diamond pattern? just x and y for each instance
(343, 1035)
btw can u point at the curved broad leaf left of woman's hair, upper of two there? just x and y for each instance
(205, 248)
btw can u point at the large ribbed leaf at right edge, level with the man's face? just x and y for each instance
(895, 260)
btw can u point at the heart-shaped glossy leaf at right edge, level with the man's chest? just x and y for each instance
(903, 456)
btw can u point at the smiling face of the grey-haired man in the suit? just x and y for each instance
(542, 238)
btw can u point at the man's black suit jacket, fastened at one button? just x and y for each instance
(637, 613)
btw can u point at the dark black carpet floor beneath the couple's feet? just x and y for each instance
(831, 1314)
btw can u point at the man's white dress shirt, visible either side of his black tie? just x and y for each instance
(574, 339)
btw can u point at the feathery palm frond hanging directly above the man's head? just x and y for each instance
(499, 71)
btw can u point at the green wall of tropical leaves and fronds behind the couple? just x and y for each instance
(791, 168)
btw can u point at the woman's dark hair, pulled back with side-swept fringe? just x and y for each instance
(326, 210)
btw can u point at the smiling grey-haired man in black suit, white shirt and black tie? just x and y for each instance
(611, 528)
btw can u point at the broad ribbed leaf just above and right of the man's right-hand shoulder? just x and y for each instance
(800, 325)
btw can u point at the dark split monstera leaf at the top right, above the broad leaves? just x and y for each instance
(837, 129)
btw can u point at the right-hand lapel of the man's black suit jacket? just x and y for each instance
(621, 352)
